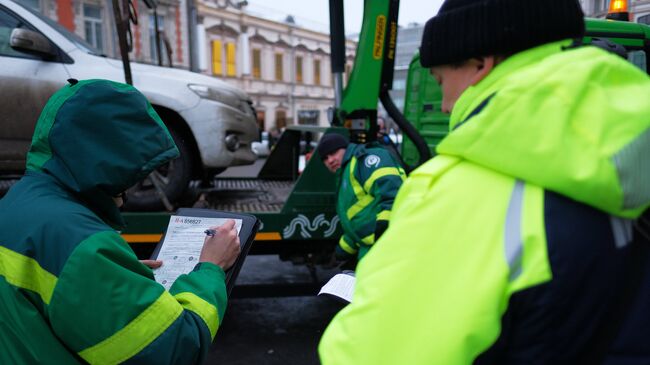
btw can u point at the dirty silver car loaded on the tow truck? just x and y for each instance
(212, 123)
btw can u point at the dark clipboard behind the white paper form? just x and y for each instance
(249, 226)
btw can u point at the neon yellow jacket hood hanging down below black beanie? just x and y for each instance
(575, 122)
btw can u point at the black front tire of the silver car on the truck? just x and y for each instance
(174, 175)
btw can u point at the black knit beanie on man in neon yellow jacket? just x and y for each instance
(464, 29)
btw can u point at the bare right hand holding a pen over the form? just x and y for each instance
(221, 245)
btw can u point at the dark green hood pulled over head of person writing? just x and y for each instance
(97, 138)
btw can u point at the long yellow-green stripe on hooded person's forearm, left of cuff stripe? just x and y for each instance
(136, 335)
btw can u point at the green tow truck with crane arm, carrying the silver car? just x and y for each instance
(297, 210)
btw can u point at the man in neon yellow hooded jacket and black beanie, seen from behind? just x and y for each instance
(511, 246)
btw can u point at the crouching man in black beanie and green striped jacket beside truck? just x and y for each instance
(368, 179)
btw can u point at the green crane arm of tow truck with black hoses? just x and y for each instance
(372, 75)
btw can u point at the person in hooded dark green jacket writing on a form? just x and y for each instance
(72, 290)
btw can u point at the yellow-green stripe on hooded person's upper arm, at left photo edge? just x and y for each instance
(26, 273)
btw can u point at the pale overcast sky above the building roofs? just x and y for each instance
(314, 14)
